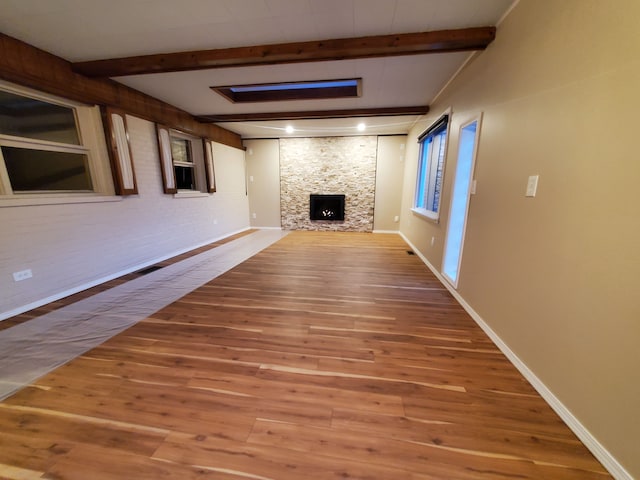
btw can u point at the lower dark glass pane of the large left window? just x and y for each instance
(38, 170)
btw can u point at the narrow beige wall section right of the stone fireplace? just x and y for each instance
(389, 177)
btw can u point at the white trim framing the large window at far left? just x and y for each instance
(93, 145)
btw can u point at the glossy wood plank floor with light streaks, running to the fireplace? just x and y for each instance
(326, 356)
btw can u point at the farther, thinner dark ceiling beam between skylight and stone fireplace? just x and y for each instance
(316, 114)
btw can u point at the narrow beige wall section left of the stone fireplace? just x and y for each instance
(263, 172)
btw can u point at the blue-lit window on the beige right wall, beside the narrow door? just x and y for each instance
(433, 148)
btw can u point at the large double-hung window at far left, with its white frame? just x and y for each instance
(49, 147)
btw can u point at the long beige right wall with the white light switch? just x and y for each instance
(556, 276)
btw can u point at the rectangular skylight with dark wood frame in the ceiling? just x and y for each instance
(307, 90)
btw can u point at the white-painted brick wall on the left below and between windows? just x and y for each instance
(69, 247)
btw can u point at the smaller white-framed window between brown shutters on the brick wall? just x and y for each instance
(186, 161)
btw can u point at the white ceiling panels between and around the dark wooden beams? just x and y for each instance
(81, 30)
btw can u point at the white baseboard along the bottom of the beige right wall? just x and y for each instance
(597, 449)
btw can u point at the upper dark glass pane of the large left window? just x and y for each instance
(26, 117)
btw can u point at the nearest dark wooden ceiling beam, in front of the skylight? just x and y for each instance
(315, 51)
